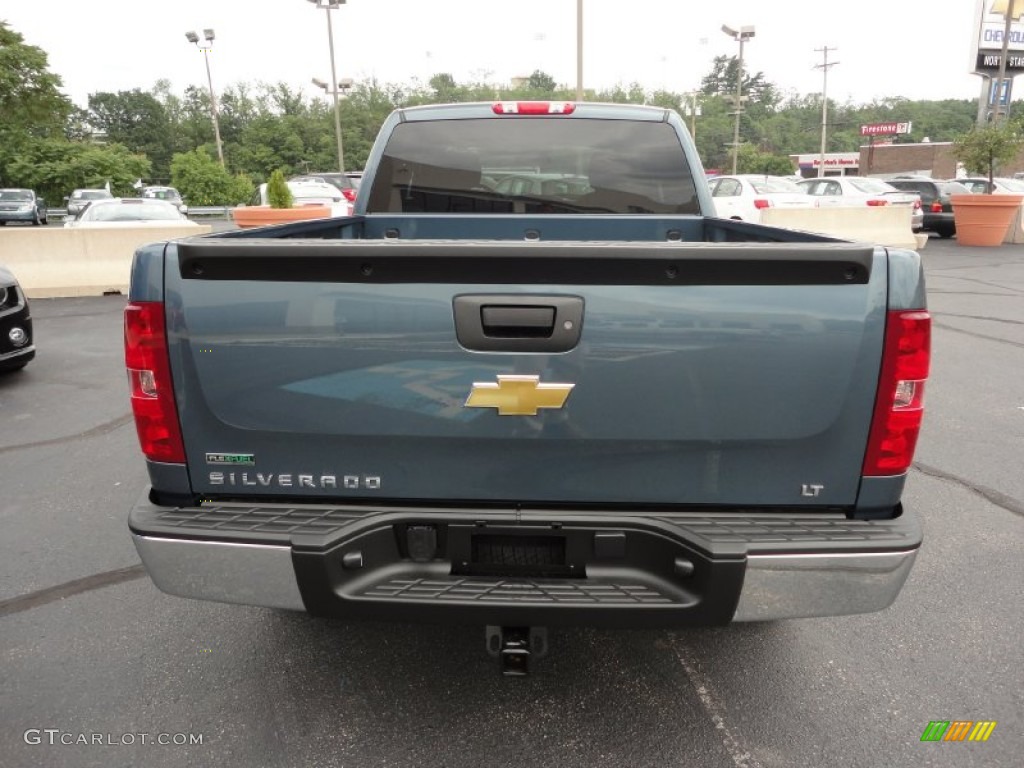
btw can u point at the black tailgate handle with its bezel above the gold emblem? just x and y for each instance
(496, 323)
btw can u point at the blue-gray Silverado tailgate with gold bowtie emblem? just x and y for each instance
(527, 373)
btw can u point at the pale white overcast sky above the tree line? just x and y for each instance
(884, 49)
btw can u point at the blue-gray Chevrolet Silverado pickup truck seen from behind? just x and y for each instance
(533, 381)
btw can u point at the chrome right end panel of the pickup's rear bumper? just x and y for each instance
(801, 586)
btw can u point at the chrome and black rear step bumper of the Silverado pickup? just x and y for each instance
(724, 576)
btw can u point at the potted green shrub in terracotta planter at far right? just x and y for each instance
(986, 220)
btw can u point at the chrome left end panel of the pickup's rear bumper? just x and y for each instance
(246, 574)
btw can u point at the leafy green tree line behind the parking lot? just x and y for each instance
(160, 137)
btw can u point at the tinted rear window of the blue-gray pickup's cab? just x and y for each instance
(534, 165)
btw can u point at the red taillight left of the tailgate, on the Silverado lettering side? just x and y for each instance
(150, 382)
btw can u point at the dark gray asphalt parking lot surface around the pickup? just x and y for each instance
(91, 649)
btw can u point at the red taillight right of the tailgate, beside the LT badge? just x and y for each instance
(901, 400)
